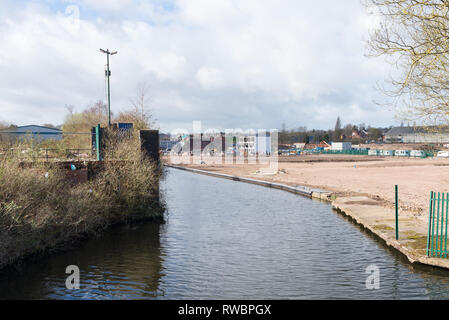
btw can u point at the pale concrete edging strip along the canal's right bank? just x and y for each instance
(360, 210)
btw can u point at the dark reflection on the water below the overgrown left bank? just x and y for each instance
(125, 262)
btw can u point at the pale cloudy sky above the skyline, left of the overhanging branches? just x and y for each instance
(229, 63)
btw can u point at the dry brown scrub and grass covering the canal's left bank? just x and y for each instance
(40, 209)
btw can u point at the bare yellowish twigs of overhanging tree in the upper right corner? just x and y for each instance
(414, 35)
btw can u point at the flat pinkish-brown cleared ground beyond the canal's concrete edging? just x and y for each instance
(354, 175)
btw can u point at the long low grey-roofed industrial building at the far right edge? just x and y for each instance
(438, 135)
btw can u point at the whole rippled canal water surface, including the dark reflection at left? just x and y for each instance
(230, 240)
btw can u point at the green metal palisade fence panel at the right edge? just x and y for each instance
(438, 218)
